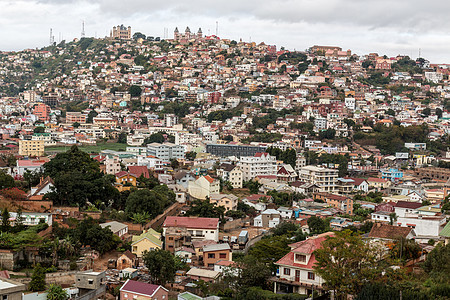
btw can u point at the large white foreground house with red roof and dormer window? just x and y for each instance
(296, 269)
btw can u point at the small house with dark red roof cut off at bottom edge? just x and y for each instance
(140, 290)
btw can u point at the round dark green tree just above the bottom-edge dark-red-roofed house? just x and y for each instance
(160, 264)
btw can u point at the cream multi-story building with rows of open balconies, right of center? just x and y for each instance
(325, 179)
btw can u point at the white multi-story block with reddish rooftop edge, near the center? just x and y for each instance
(259, 164)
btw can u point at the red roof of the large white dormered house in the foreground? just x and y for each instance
(307, 246)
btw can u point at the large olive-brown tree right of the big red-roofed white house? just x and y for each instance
(346, 263)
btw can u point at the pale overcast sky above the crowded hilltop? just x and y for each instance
(364, 26)
